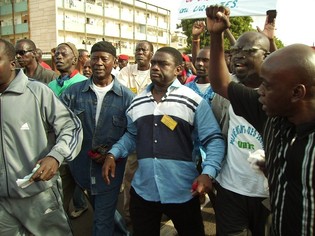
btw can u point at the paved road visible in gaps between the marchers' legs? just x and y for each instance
(83, 225)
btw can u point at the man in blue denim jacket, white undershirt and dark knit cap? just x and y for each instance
(100, 102)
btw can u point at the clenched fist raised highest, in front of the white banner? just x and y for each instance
(217, 19)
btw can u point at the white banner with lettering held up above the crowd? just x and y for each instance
(192, 9)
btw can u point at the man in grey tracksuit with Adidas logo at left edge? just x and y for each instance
(36, 128)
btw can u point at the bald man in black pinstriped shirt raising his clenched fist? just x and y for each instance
(282, 111)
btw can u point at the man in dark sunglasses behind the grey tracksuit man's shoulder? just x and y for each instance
(25, 50)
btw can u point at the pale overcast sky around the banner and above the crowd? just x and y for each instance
(295, 22)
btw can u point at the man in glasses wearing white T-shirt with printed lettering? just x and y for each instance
(240, 189)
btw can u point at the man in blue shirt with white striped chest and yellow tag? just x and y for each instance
(163, 121)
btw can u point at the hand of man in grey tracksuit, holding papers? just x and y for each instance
(48, 168)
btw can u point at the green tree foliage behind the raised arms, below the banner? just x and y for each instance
(239, 25)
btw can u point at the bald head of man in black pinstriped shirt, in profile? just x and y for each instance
(288, 87)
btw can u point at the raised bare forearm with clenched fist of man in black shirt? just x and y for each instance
(217, 23)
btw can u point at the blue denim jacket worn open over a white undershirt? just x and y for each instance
(112, 123)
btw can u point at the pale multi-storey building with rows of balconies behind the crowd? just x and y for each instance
(84, 22)
